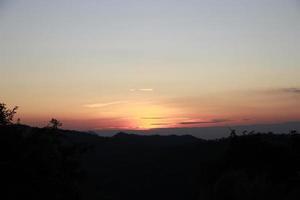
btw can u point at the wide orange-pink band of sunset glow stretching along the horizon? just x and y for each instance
(139, 113)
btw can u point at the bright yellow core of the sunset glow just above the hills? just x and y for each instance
(139, 115)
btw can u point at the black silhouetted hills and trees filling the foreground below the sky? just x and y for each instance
(57, 164)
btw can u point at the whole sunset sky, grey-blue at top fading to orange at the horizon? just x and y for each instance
(143, 64)
